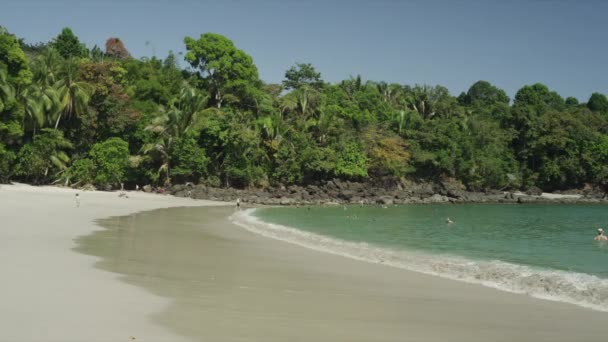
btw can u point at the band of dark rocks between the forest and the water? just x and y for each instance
(384, 192)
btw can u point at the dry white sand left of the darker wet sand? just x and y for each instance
(51, 293)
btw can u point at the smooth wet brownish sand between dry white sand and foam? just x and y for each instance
(227, 284)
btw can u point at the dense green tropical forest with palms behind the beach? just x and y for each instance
(80, 116)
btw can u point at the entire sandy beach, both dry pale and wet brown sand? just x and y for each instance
(188, 274)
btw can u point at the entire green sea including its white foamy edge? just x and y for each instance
(543, 250)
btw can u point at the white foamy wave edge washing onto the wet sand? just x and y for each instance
(576, 288)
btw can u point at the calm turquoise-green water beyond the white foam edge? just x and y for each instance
(550, 236)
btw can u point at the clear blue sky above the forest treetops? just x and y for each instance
(563, 44)
